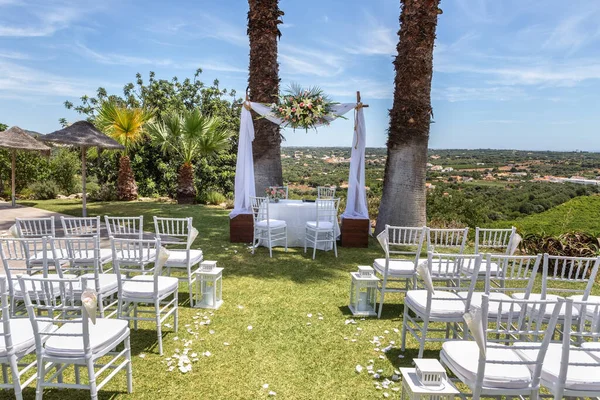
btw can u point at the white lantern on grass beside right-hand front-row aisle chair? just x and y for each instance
(363, 292)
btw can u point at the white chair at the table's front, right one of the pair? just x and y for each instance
(323, 229)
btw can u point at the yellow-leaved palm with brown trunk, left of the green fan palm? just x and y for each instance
(126, 126)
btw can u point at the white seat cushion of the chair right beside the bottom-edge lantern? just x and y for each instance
(463, 359)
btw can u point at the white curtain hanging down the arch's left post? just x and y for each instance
(244, 168)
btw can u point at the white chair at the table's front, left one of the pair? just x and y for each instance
(266, 230)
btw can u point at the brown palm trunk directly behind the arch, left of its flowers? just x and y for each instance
(263, 19)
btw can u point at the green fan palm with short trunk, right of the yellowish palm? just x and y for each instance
(188, 136)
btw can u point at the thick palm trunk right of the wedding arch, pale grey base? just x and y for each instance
(404, 196)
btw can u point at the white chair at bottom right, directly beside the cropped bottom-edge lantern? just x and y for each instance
(492, 365)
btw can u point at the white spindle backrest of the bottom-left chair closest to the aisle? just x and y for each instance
(53, 301)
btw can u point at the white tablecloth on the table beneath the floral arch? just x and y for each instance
(296, 213)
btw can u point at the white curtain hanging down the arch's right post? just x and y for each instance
(356, 203)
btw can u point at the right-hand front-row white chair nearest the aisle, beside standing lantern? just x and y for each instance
(402, 247)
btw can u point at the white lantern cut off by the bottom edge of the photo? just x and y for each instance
(427, 381)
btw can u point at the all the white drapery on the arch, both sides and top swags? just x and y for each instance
(356, 203)
